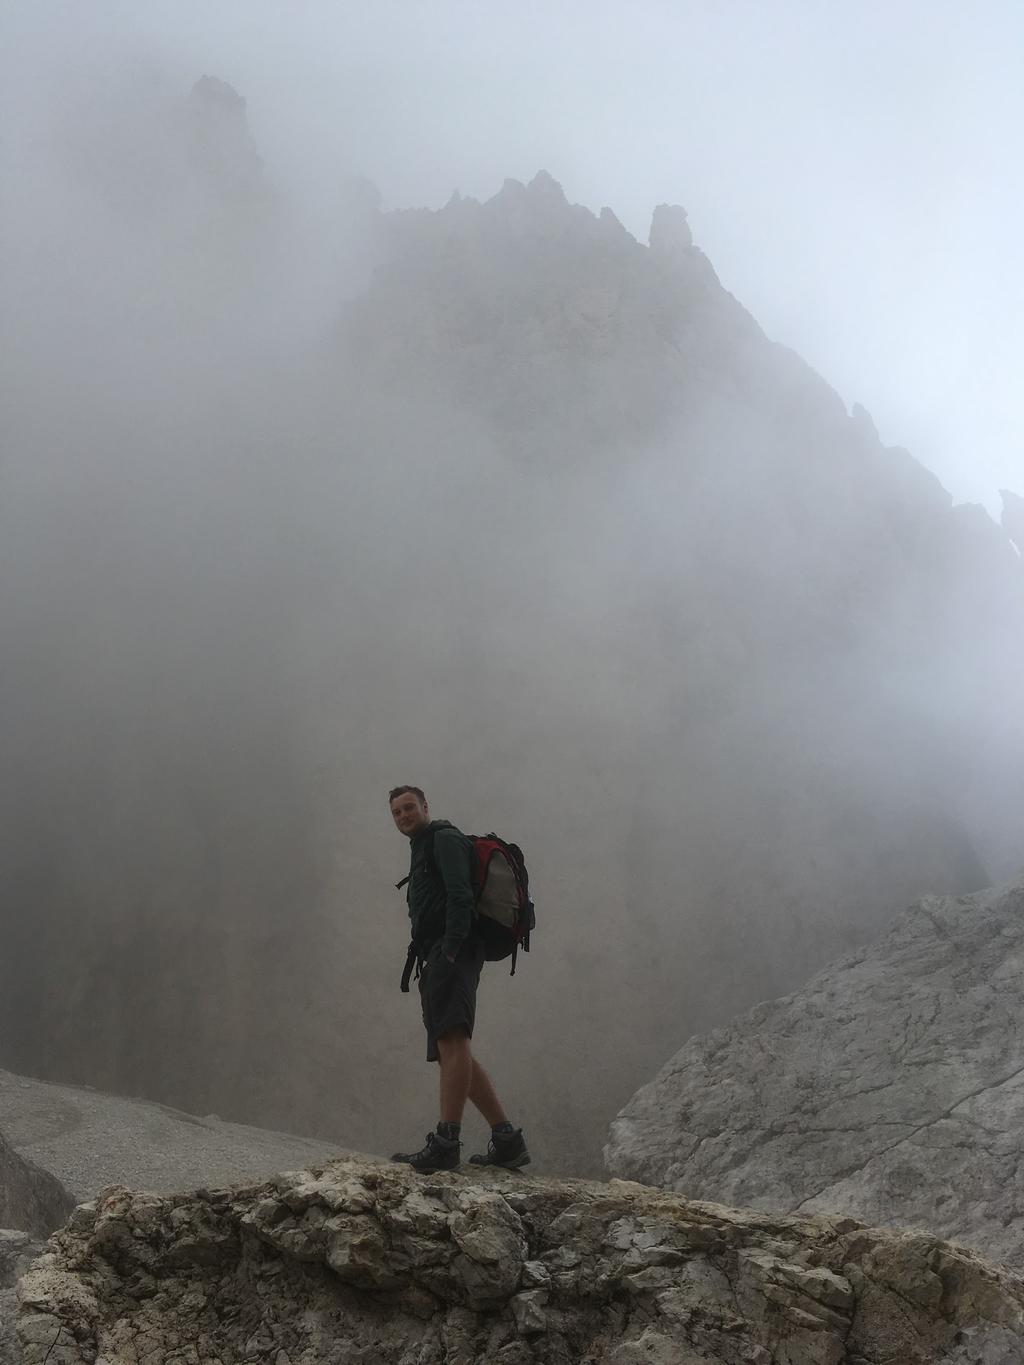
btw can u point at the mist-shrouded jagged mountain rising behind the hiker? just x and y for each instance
(496, 500)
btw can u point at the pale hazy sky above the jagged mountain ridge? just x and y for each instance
(851, 167)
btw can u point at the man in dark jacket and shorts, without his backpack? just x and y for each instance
(450, 955)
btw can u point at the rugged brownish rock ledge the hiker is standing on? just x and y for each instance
(369, 1263)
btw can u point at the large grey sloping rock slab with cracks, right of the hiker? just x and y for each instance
(892, 1087)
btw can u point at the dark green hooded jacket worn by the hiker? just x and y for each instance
(440, 888)
